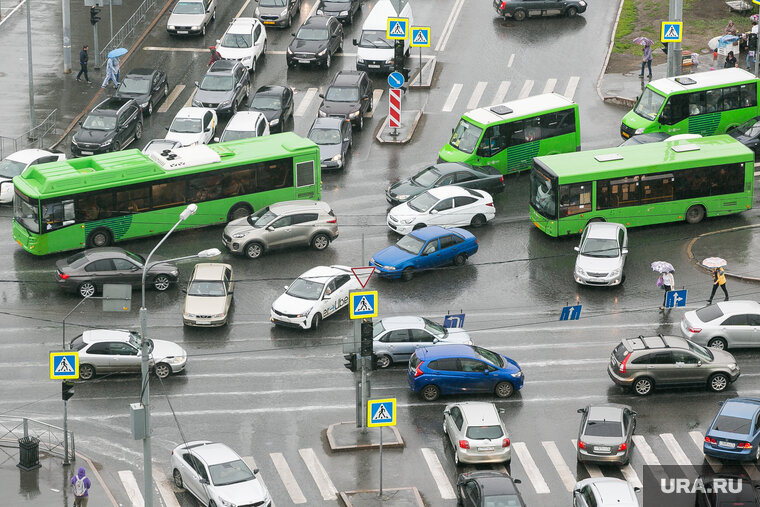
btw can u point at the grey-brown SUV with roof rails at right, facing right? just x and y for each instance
(643, 362)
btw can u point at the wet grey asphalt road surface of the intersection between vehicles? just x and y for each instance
(267, 391)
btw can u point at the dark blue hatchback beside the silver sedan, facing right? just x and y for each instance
(454, 369)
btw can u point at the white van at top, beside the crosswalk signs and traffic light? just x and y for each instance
(375, 52)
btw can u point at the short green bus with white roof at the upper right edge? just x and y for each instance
(705, 103)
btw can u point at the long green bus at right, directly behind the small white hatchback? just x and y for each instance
(642, 184)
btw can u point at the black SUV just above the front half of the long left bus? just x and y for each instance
(110, 126)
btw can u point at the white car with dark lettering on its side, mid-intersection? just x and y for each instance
(315, 295)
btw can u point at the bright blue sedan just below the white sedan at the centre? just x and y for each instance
(425, 248)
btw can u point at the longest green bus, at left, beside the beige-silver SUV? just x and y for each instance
(98, 200)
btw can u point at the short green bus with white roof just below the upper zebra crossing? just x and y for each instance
(507, 136)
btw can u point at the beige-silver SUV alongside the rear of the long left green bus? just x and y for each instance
(281, 225)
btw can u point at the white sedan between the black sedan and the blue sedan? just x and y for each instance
(447, 206)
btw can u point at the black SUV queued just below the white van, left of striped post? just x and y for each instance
(349, 96)
